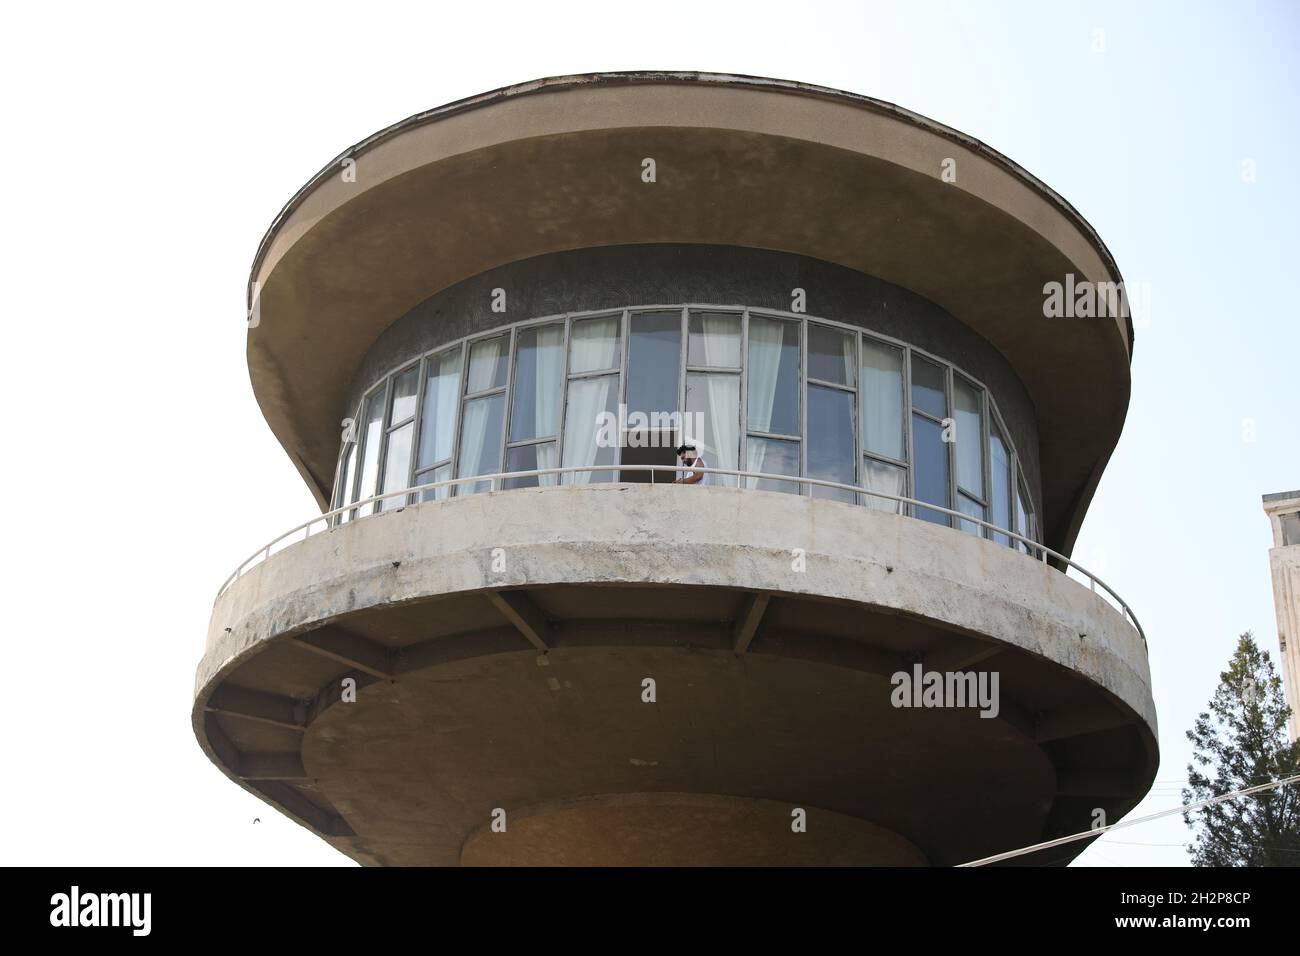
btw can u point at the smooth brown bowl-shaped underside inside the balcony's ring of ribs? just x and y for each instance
(418, 767)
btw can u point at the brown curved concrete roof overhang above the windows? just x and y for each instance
(556, 165)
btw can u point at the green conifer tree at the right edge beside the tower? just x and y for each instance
(1242, 742)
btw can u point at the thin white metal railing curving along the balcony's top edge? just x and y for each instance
(418, 494)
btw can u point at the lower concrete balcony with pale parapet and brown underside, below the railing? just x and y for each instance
(499, 624)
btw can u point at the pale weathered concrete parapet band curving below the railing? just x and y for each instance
(739, 539)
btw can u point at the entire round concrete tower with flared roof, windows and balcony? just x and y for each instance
(509, 641)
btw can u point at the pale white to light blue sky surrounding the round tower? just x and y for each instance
(146, 150)
